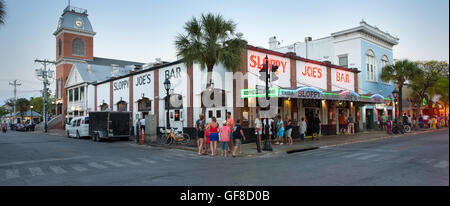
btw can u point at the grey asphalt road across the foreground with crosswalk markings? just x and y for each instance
(36, 159)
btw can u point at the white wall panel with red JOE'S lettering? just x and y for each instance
(309, 74)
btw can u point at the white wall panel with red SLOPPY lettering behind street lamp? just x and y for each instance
(257, 59)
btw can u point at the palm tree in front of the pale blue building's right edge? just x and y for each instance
(400, 72)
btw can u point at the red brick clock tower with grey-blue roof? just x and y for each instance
(74, 43)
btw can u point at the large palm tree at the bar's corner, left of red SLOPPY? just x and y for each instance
(211, 40)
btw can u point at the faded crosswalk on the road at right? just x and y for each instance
(374, 156)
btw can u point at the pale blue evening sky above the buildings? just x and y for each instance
(142, 30)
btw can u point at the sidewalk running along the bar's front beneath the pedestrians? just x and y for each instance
(249, 149)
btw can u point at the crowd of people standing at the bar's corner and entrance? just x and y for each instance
(231, 135)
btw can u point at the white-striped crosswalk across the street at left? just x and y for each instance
(8, 173)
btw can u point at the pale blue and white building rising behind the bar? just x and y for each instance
(366, 48)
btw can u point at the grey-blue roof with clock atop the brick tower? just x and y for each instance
(74, 19)
